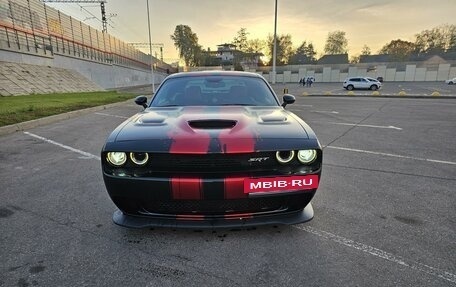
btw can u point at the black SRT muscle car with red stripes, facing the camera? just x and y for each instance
(212, 149)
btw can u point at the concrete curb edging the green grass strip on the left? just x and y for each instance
(5, 130)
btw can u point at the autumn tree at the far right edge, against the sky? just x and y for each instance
(437, 40)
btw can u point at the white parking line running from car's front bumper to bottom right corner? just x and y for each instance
(380, 253)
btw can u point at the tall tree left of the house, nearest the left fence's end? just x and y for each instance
(187, 43)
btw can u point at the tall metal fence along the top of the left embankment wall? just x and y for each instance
(30, 26)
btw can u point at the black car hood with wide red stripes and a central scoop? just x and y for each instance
(229, 129)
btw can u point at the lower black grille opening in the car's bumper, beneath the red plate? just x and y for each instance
(227, 207)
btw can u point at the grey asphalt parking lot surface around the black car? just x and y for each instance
(384, 213)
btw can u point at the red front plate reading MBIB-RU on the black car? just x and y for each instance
(283, 183)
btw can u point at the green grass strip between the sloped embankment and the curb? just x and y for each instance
(16, 109)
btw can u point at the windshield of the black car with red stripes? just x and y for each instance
(214, 90)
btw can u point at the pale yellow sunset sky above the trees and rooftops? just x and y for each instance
(366, 22)
